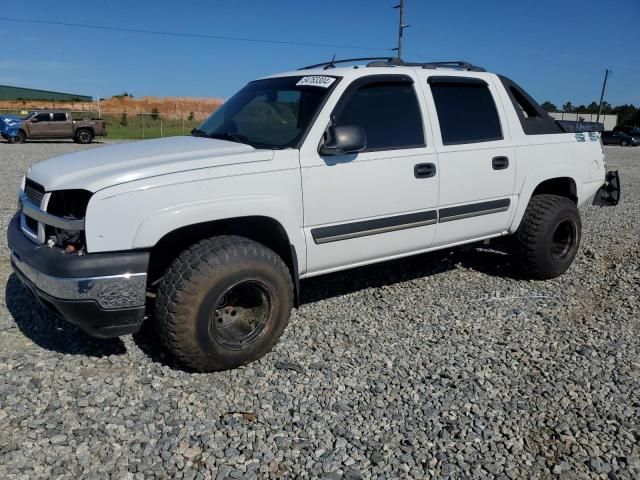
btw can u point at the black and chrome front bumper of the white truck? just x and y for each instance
(102, 293)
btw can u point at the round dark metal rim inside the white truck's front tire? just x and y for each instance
(241, 314)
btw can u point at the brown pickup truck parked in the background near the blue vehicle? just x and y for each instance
(51, 124)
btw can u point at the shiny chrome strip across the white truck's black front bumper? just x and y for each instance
(115, 291)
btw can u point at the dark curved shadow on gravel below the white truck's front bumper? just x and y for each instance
(50, 332)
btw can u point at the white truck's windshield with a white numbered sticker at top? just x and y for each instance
(270, 113)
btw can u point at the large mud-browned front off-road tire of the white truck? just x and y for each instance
(192, 291)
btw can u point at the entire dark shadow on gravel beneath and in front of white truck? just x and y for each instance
(53, 333)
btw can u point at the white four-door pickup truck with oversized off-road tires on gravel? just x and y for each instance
(299, 174)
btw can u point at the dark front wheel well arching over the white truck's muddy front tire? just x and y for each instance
(264, 230)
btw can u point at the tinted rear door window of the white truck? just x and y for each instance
(466, 110)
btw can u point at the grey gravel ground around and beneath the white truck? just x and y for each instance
(442, 365)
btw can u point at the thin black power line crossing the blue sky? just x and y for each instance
(188, 35)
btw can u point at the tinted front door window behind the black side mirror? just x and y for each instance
(388, 112)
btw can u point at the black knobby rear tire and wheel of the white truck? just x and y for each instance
(548, 237)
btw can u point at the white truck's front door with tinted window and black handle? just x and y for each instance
(381, 202)
